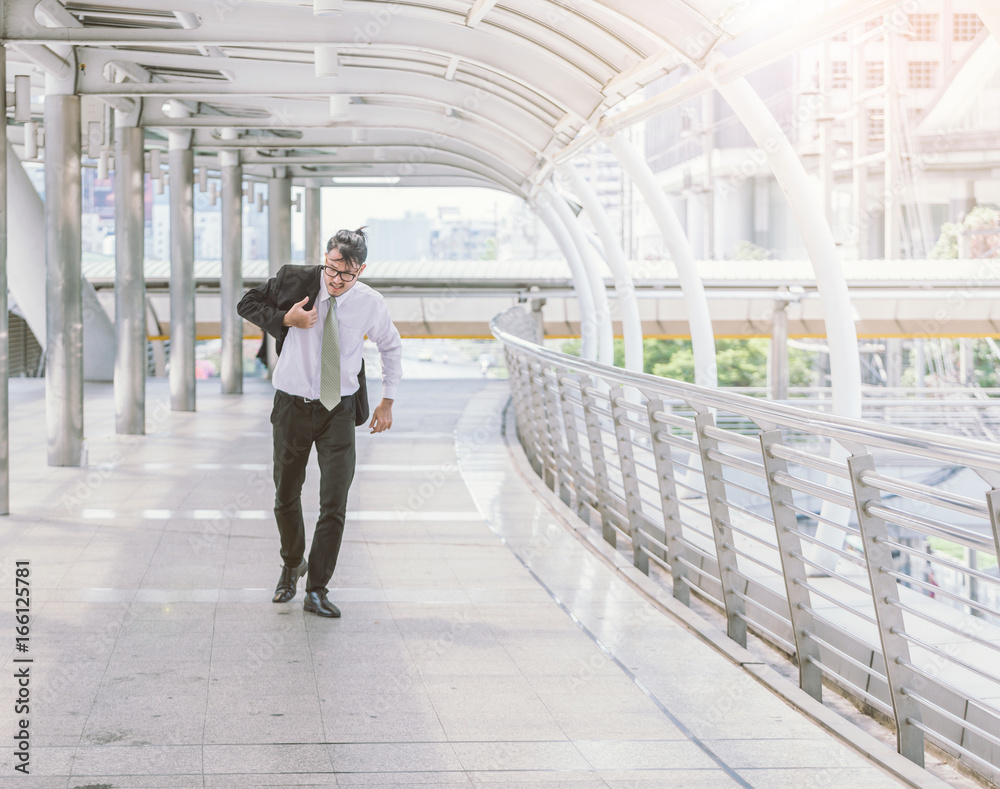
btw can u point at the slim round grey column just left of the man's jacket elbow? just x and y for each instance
(231, 281)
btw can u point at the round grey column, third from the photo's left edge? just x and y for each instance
(130, 282)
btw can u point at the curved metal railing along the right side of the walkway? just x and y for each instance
(867, 553)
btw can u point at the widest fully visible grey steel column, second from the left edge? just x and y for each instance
(64, 282)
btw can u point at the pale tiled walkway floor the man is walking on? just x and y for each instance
(482, 642)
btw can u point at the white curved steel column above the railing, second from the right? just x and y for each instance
(695, 300)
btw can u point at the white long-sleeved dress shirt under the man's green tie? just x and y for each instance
(360, 311)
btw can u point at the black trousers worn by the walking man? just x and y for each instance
(297, 425)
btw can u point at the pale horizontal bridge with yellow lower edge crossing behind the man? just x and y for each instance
(455, 298)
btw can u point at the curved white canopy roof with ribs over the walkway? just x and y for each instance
(434, 92)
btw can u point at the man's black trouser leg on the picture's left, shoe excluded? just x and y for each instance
(292, 429)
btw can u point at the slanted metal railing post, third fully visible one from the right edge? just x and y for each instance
(715, 493)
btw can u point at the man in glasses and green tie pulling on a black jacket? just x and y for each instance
(319, 316)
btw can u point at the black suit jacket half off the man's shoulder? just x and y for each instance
(265, 306)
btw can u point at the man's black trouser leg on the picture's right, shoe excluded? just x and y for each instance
(336, 455)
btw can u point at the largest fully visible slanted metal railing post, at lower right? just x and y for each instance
(885, 595)
